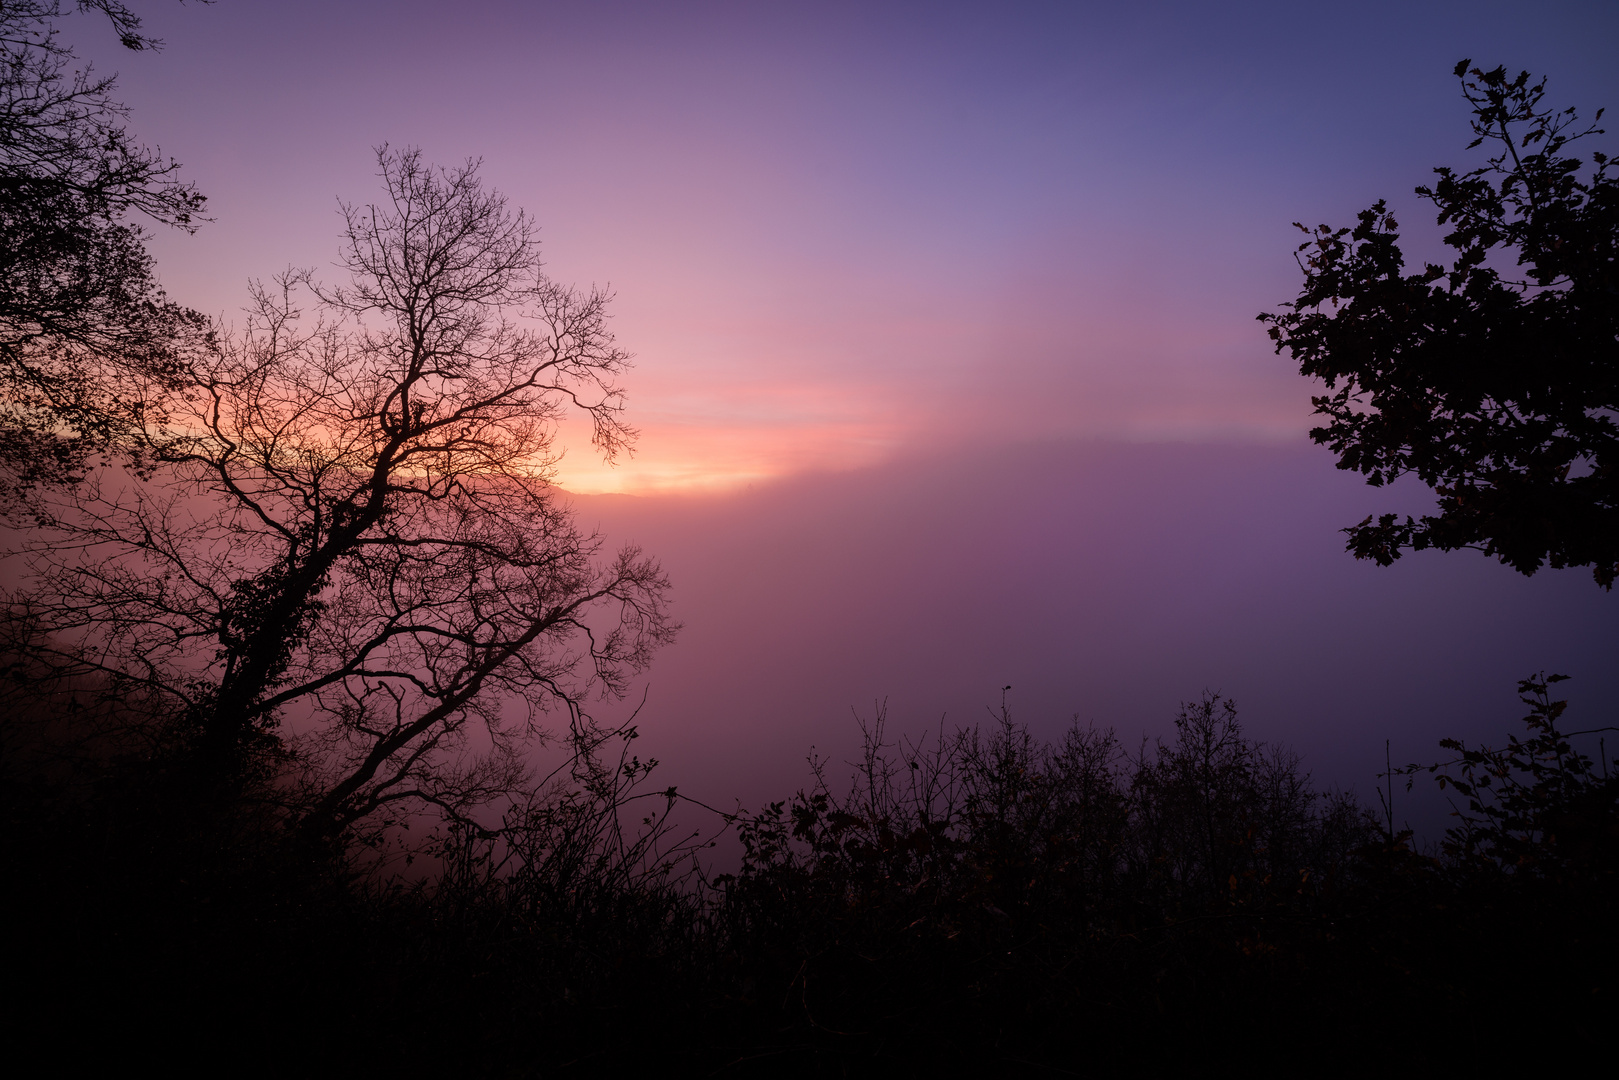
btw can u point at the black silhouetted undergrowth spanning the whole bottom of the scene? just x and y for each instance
(982, 901)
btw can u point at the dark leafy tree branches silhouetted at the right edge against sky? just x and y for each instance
(1497, 378)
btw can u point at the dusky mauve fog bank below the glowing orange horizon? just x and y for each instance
(1107, 582)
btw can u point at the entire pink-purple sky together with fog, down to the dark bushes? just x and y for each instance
(948, 367)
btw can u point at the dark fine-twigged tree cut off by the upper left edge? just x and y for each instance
(79, 299)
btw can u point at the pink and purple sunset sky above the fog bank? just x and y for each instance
(844, 232)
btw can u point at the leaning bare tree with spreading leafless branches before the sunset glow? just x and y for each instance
(339, 522)
